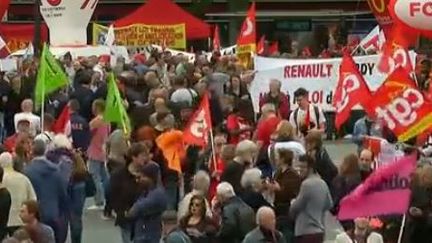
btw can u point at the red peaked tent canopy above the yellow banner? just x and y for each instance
(165, 12)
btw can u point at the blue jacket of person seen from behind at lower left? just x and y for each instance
(50, 188)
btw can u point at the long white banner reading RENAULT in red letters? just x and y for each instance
(318, 76)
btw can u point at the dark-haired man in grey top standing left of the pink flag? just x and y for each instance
(312, 203)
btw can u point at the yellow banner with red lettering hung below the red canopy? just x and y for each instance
(172, 36)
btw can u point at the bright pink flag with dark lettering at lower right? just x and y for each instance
(386, 191)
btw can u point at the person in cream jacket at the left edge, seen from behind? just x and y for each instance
(20, 189)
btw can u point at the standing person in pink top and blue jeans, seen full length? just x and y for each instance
(97, 154)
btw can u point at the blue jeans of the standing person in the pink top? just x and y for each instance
(100, 176)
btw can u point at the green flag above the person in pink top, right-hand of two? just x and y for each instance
(114, 109)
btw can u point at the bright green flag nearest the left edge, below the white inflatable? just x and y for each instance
(50, 76)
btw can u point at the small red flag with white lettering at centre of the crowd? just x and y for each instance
(198, 129)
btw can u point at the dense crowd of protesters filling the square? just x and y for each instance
(269, 179)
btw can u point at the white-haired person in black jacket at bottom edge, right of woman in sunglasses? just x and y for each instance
(237, 218)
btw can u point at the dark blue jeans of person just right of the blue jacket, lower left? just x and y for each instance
(77, 197)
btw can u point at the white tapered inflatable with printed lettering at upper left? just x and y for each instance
(67, 20)
